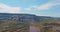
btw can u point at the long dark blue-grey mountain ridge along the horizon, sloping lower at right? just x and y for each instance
(24, 17)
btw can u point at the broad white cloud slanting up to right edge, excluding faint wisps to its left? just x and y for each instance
(48, 5)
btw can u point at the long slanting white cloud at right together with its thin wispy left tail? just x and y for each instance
(45, 6)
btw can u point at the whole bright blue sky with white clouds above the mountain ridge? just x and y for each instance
(37, 7)
